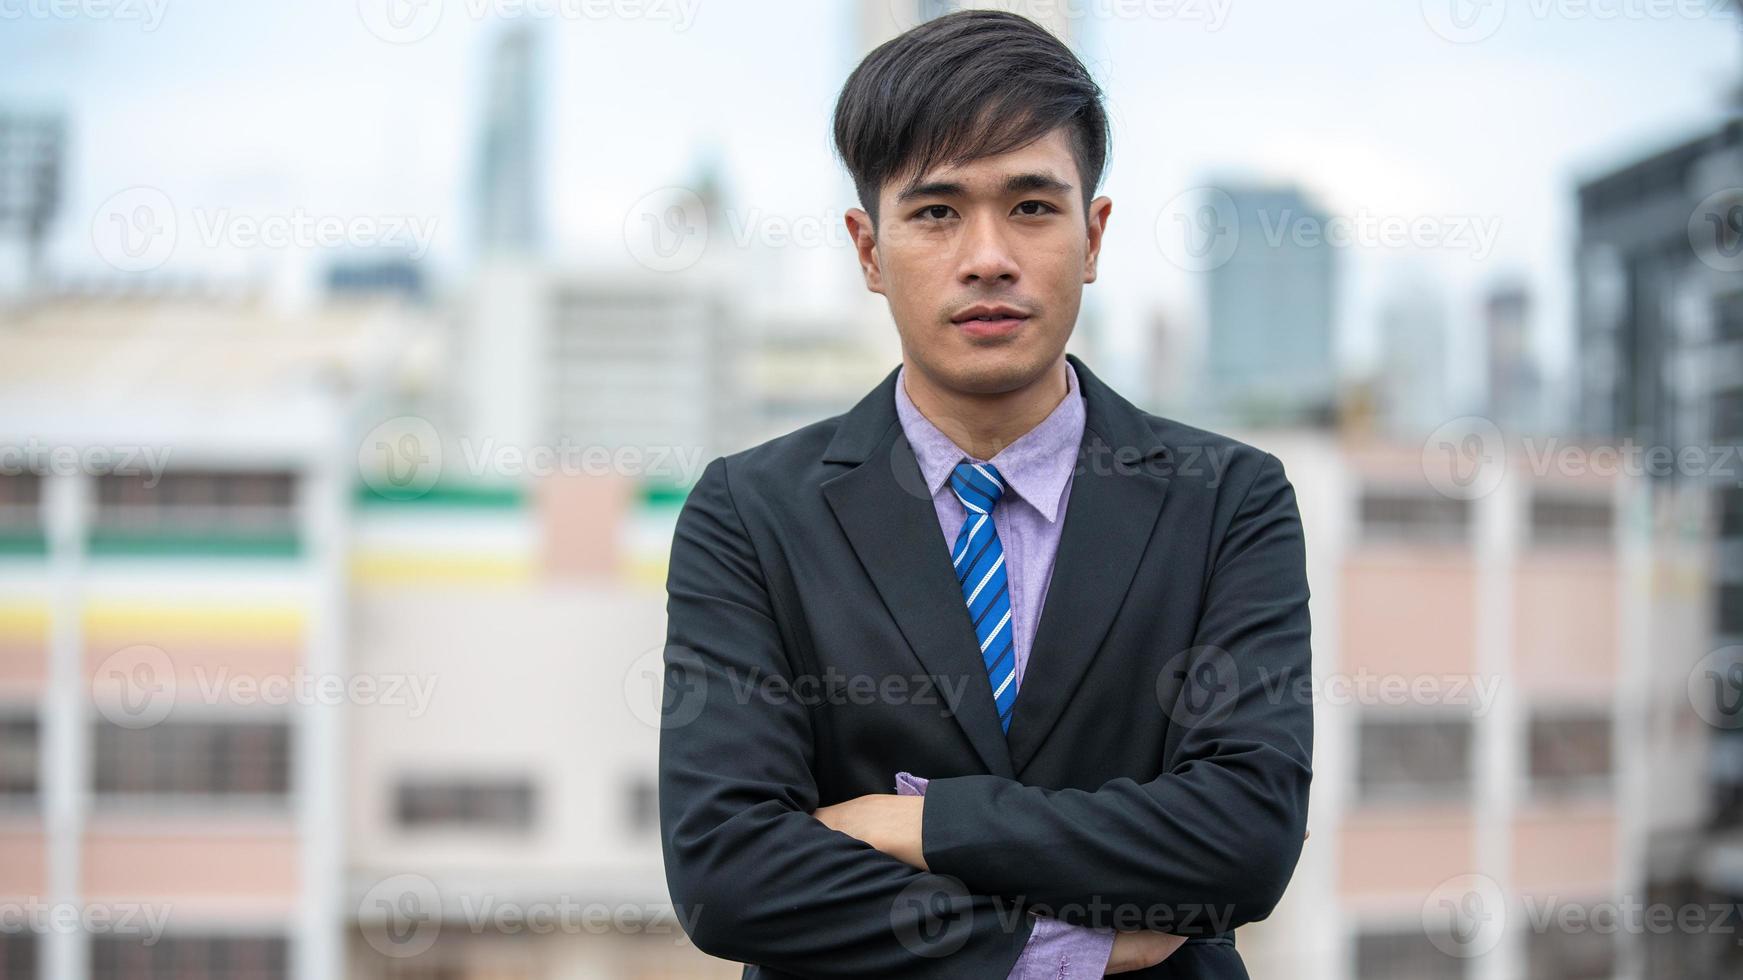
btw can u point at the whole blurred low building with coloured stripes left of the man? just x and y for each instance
(245, 653)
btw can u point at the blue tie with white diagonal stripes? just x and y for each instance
(980, 571)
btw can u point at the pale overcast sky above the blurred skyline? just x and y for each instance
(275, 107)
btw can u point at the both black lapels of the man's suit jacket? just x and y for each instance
(890, 521)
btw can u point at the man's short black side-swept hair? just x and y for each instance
(960, 88)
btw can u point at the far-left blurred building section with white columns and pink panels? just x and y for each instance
(172, 582)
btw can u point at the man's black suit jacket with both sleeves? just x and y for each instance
(1160, 754)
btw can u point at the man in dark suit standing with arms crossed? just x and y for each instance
(994, 676)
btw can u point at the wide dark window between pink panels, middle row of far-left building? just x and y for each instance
(194, 759)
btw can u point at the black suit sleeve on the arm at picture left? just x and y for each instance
(754, 875)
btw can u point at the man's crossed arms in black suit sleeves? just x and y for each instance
(764, 878)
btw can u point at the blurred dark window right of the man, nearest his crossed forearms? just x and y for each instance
(1411, 759)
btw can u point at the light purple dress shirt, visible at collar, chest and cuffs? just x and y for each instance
(1038, 477)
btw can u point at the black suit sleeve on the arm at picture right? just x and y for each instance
(1212, 841)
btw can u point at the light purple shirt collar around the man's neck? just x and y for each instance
(1036, 466)
